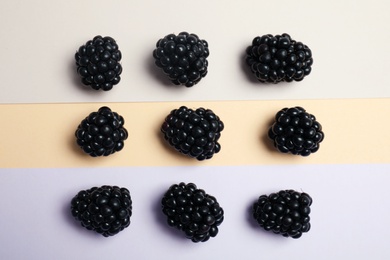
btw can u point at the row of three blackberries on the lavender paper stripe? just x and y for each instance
(107, 210)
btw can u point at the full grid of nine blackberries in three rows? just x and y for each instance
(183, 58)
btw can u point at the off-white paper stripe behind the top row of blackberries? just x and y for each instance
(348, 40)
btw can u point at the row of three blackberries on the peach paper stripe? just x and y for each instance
(196, 133)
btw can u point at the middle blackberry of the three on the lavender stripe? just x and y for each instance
(192, 211)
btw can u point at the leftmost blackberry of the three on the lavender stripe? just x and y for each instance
(106, 210)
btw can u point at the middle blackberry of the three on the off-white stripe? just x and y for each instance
(183, 58)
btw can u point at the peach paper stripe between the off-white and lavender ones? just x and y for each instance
(42, 135)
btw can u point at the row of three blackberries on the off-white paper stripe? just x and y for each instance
(183, 58)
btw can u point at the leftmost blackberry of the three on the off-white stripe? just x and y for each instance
(98, 63)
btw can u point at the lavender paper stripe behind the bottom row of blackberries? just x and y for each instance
(348, 215)
